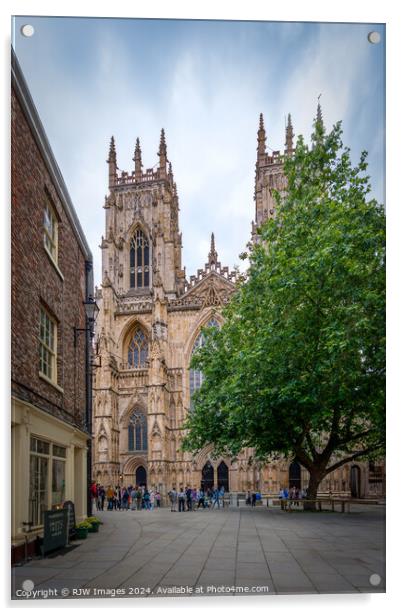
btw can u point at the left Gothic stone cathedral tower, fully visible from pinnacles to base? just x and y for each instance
(141, 271)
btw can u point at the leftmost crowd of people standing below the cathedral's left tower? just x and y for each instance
(124, 498)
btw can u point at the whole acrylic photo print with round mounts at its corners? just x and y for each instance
(198, 328)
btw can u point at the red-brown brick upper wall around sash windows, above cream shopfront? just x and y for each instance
(34, 280)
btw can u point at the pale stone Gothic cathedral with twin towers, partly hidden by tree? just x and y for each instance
(150, 322)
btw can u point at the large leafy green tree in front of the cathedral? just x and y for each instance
(298, 367)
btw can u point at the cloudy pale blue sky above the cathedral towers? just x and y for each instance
(205, 83)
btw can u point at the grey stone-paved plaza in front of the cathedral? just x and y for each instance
(236, 550)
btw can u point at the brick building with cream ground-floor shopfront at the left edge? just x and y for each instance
(51, 277)
